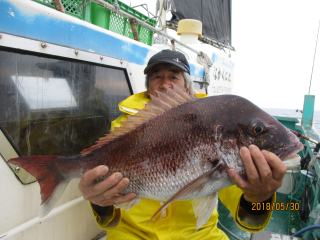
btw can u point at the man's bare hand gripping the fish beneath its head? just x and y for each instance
(265, 173)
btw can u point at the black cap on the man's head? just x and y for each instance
(167, 56)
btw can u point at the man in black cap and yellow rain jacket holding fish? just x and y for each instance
(264, 169)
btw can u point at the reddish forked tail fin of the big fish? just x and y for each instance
(45, 170)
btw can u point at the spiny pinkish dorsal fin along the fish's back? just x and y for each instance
(162, 102)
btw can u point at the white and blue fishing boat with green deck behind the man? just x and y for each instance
(64, 67)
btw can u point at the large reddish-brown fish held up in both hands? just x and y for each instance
(178, 147)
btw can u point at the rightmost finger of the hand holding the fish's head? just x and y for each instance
(278, 167)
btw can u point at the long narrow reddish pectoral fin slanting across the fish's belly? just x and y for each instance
(191, 187)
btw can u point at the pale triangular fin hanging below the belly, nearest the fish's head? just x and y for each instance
(203, 208)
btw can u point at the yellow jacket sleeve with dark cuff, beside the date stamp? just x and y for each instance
(230, 197)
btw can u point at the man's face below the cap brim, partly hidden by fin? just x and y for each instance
(161, 75)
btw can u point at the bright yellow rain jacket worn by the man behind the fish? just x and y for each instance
(178, 220)
